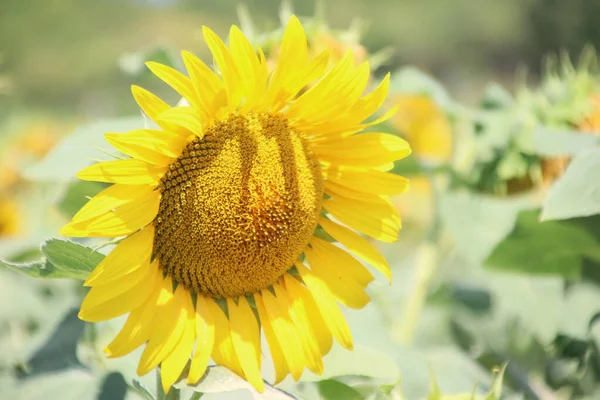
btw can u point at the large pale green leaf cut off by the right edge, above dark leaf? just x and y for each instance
(577, 192)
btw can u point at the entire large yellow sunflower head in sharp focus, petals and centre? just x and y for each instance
(223, 212)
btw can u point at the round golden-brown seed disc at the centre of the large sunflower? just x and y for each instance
(238, 206)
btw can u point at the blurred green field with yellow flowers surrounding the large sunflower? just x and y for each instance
(500, 102)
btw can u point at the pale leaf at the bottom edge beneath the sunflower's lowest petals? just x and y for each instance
(218, 379)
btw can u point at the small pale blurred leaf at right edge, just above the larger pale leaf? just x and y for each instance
(551, 142)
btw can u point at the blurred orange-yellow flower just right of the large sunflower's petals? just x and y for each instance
(425, 126)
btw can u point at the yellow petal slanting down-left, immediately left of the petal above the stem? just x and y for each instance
(167, 332)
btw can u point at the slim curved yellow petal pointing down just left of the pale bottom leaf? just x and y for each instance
(174, 363)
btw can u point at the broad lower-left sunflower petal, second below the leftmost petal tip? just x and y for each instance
(109, 301)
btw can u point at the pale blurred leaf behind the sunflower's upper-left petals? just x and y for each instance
(79, 149)
